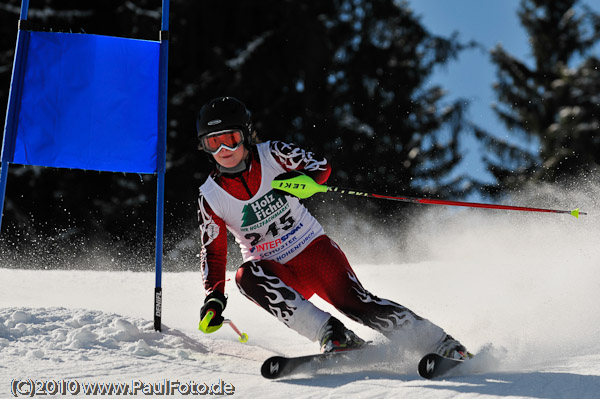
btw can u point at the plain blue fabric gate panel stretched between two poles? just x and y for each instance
(88, 102)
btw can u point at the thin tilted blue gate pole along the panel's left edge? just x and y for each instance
(12, 111)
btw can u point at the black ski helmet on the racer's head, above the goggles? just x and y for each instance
(224, 113)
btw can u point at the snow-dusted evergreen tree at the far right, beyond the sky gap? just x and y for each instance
(552, 103)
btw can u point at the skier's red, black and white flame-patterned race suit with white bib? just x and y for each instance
(287, 256)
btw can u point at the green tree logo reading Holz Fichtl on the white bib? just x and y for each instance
(263, 210)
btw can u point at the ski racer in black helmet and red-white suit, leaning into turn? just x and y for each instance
(287, 256)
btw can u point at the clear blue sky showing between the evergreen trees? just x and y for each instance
(489, 22)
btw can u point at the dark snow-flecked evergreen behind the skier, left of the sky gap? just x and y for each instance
(383, 106)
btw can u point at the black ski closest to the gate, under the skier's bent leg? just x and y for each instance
(281, 366)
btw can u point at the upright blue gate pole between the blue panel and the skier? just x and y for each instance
(161, 154)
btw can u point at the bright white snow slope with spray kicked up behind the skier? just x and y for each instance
(521, 289)
